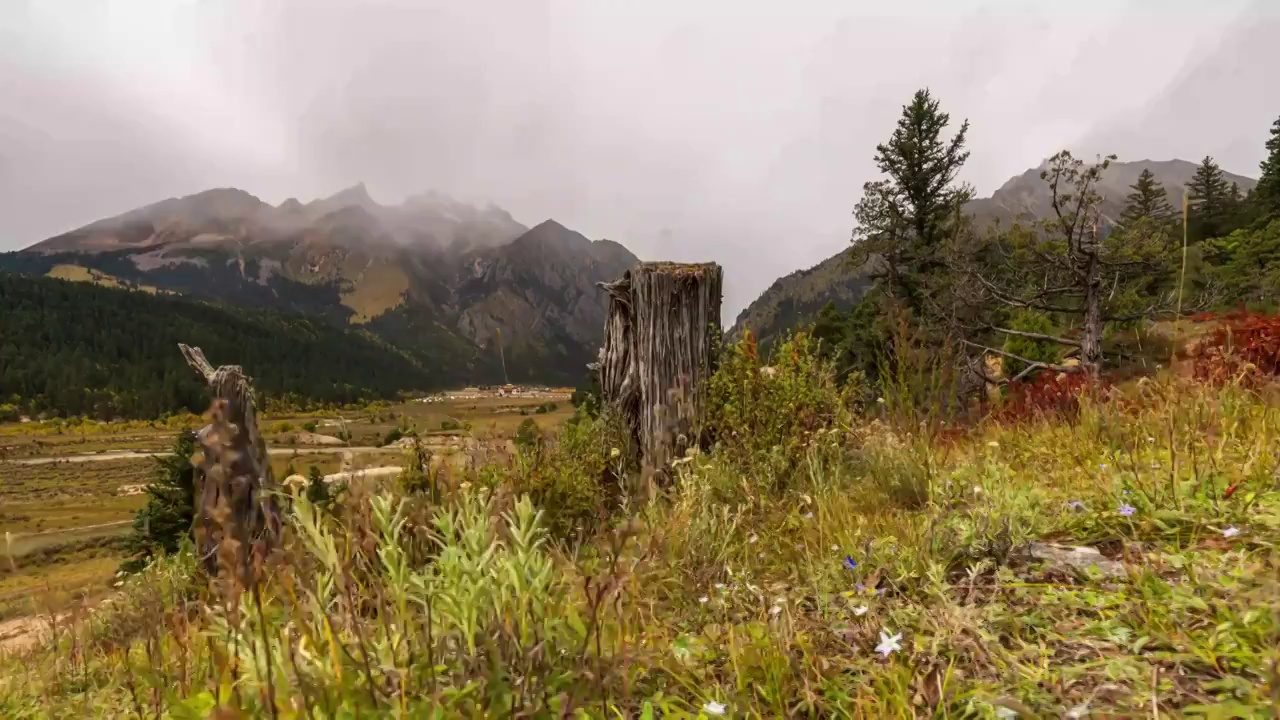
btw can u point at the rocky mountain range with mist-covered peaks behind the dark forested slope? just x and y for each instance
(437, 279)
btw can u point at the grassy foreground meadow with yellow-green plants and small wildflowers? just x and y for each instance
(762, 585)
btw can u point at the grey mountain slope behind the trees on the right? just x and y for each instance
(798, 297)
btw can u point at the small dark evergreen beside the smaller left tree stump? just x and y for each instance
(170, 513)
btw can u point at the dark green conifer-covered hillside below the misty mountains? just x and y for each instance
(77, 349)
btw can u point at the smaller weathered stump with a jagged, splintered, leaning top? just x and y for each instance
(235, 511)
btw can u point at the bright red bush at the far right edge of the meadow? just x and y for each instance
(1245, 348)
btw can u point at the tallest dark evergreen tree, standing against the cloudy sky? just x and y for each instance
(906, 220)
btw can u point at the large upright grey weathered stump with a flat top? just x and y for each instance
(660, 349)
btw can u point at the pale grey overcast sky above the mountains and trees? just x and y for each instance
(688, 130)
